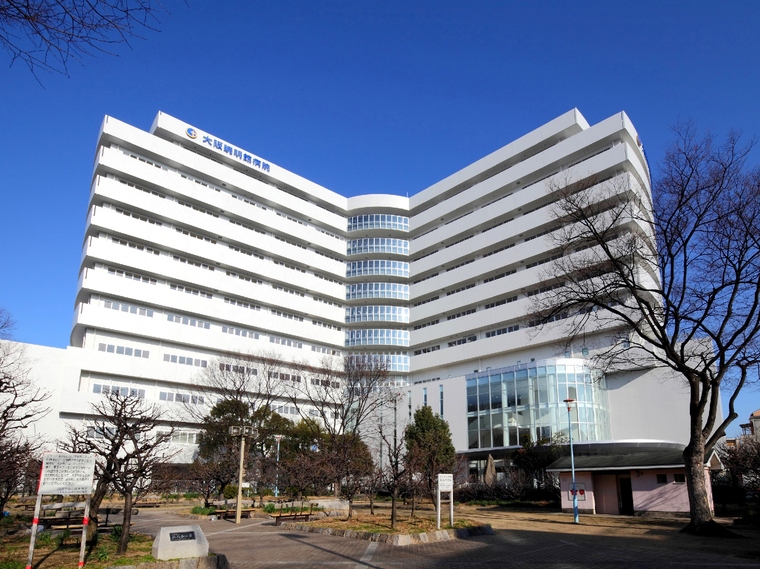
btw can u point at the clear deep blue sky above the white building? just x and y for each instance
(361, 97)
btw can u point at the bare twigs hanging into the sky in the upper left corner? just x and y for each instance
(46, 34)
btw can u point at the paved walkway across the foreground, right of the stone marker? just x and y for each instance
(257, 544)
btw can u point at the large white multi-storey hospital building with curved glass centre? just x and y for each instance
(195, 247)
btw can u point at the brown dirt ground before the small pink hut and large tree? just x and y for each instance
(647, 532)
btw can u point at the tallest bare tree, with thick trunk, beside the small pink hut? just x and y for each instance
(671, 280)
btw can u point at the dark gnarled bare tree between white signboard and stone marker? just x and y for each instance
(130, 440)
